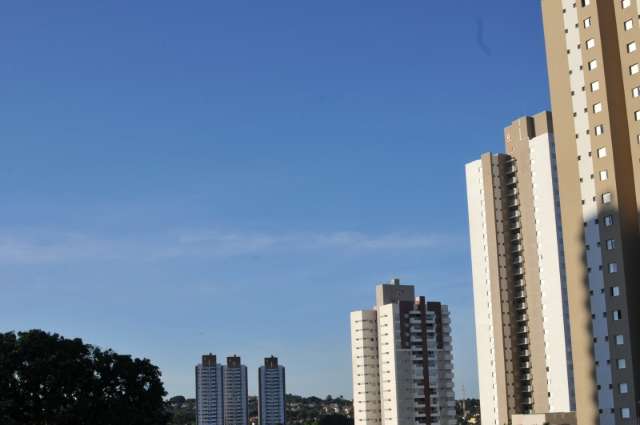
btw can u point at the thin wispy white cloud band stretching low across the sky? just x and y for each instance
(55, 247)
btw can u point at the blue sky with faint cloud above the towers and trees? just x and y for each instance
(235, 177)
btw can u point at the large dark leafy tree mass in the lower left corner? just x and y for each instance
(46, 379)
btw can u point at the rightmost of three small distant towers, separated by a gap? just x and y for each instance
(271, 400)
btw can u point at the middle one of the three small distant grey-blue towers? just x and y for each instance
(235, 392)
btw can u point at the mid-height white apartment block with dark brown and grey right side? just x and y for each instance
(402, 360)
